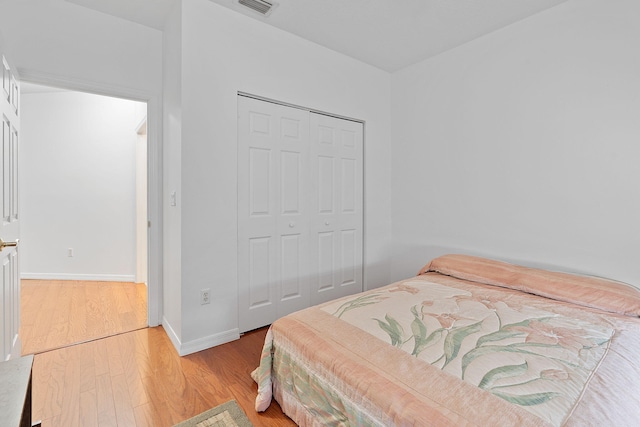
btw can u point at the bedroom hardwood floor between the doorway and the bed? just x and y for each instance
(138, 379)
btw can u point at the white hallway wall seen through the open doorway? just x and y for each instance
(78, 169)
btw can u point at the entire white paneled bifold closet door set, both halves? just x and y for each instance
(300, 205)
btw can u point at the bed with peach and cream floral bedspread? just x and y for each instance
(469, 341)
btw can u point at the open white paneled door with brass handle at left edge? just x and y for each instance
(10, 347)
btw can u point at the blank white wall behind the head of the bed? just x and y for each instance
(523, 145)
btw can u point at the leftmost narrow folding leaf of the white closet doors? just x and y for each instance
(257, 215)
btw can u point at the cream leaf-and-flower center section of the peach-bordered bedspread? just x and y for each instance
(531, 357)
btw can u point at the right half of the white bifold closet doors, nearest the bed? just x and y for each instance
(336, 237)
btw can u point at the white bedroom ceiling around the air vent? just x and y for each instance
(387, 34)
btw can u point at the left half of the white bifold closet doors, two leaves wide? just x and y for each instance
(273, 228)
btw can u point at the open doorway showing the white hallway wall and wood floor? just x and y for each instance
(84, 220)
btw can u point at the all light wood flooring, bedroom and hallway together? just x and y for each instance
(131, 379)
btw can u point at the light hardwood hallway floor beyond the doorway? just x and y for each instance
(57, 313)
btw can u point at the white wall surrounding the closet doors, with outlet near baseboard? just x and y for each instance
(222, 53)
